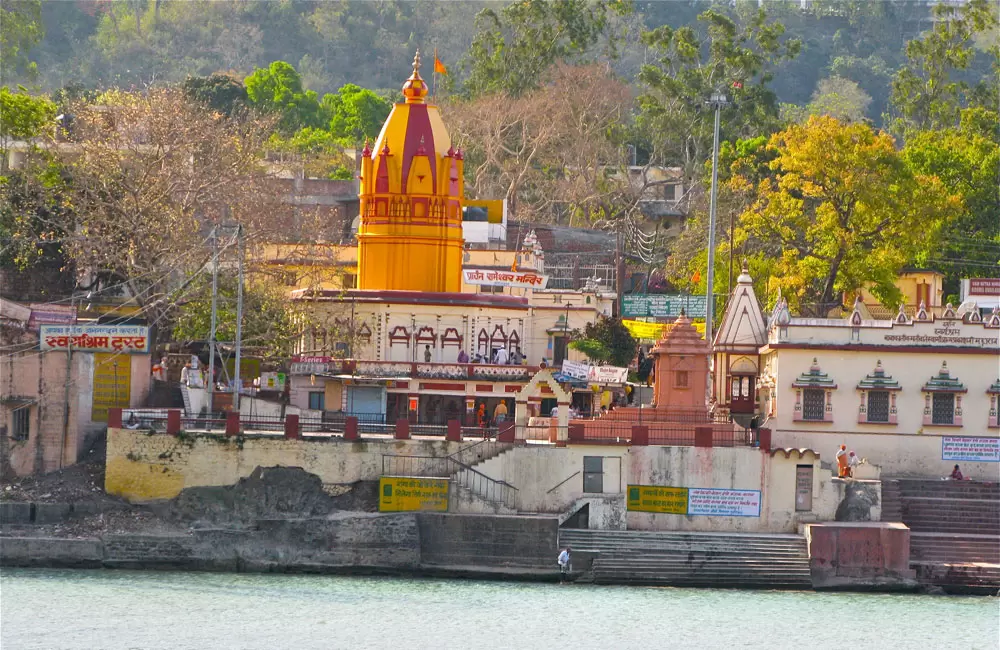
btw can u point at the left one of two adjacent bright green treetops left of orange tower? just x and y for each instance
(278, 89)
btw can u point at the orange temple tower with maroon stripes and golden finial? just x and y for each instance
(410, 236)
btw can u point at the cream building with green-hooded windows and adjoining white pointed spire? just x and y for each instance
(913, 394)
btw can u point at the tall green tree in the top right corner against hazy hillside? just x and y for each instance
(929, 91)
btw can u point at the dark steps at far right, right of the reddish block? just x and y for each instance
(954, 530)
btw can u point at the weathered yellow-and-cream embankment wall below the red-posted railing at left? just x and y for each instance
(143, 467)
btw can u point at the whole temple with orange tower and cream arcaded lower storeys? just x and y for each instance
(412, 322)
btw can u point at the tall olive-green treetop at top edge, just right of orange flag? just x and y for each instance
(513, 50)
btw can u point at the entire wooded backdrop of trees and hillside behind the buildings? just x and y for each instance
(860, 137)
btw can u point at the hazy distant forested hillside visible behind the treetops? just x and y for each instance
(102, 43)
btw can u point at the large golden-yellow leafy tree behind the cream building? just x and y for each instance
(842, 211)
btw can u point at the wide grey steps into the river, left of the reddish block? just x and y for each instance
(720, 560)
